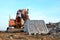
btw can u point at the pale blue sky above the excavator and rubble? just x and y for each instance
(47, 10)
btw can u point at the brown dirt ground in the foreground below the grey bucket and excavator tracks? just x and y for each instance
(24, 36)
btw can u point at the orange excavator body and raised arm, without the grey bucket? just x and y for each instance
(21, 17)
